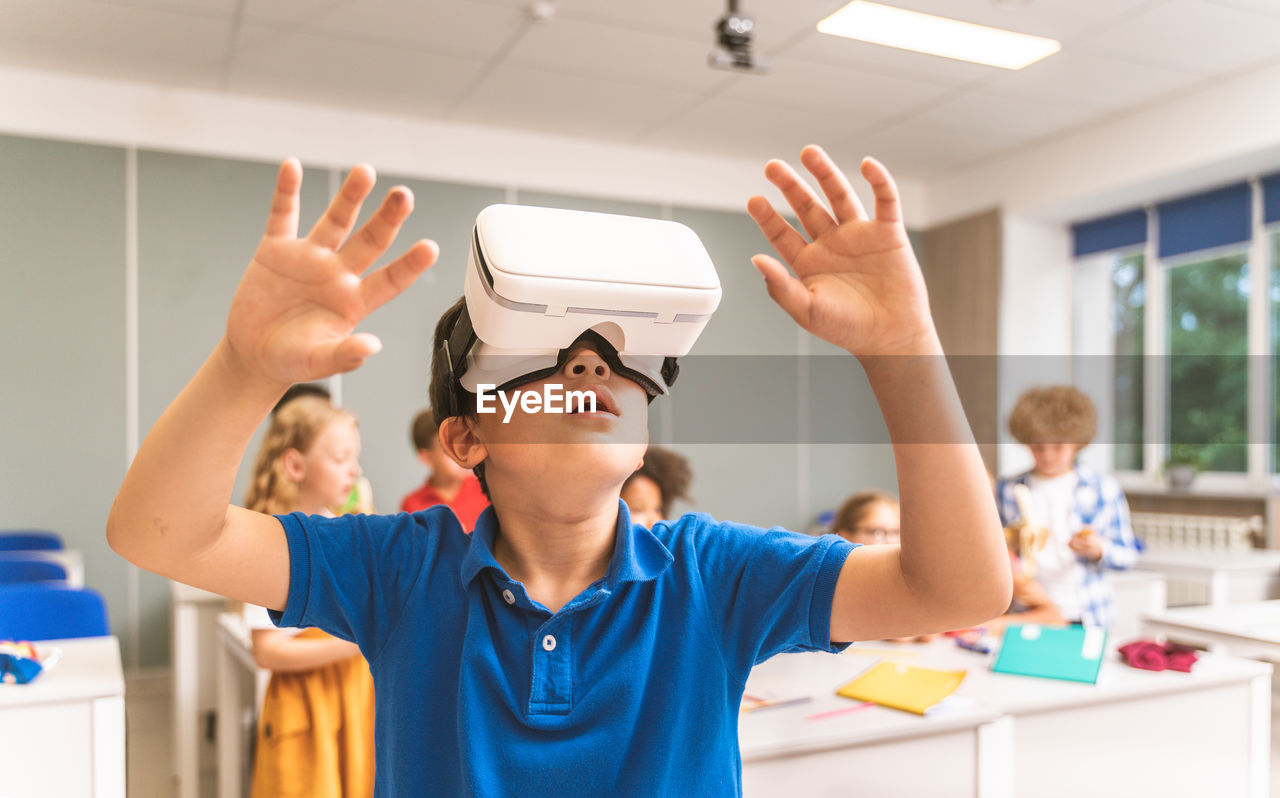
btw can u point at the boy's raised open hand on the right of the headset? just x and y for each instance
(857, 282)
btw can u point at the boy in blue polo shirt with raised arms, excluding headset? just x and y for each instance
(561, 650)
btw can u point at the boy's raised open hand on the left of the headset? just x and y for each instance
(294, 314)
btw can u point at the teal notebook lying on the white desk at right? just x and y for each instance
(1053, 653)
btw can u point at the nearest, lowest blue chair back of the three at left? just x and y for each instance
(48, 612)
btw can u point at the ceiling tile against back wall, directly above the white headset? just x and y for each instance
(566, 104)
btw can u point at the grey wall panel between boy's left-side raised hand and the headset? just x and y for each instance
(388, 391)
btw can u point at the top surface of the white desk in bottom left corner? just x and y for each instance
(90, 668)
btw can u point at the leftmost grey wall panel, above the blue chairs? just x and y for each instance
(62, 354)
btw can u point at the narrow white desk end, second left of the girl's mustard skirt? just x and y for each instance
(195, 642)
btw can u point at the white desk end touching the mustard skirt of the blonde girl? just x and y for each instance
(241, 686)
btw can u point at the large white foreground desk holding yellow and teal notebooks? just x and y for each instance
(1208, 731)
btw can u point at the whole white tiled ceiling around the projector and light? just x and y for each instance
(637, 71)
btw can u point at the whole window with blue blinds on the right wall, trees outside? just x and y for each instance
(1187, 318)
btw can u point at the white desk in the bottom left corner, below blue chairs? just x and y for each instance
(63, 735)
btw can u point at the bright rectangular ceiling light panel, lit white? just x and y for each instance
(895, 28)
